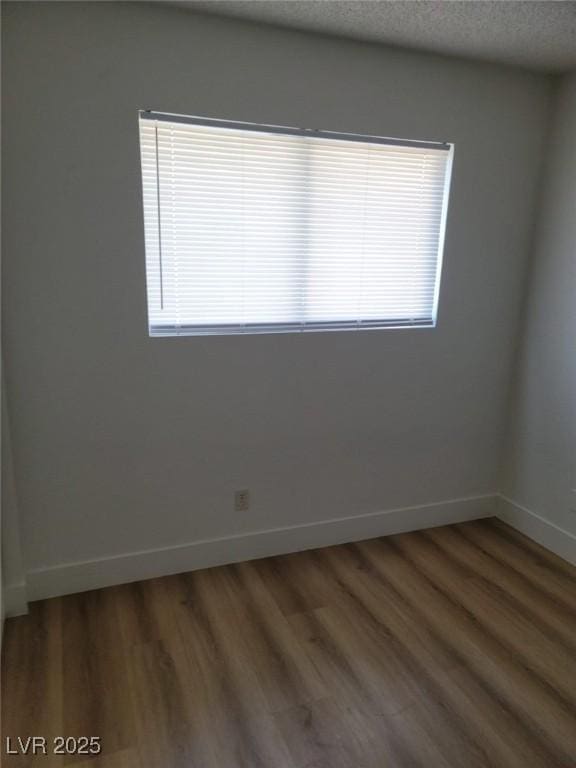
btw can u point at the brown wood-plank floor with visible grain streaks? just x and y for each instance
(453, 647)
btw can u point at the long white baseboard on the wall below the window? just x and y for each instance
(69, 578)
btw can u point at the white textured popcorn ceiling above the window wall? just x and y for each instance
(536, 35)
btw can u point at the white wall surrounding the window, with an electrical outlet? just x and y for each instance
(123, 442)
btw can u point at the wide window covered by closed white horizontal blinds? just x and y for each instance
(255, 229)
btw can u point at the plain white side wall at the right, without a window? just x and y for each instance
(540, 471)
